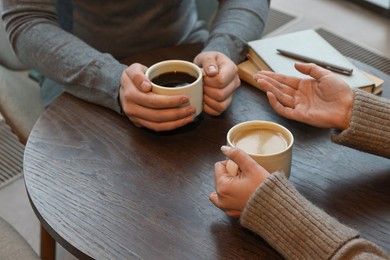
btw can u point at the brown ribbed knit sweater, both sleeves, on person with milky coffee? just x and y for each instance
(300, 230)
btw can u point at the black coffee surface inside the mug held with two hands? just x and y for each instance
(173, 79)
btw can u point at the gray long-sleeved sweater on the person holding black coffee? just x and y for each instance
(78, 43)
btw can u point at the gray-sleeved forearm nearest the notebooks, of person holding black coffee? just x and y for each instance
(236, 23)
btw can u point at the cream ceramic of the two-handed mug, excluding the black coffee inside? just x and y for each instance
(193, 90)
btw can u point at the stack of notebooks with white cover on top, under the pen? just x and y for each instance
(264, 54)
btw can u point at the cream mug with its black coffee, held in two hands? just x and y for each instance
(178, 77)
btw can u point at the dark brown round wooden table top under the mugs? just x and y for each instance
(106, 189)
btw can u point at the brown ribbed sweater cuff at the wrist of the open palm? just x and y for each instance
(369, 129)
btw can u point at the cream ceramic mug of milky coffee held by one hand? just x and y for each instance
(277, 157)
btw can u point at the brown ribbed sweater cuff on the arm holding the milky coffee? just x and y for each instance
(291, 224)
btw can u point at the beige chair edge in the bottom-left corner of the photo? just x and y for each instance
(12, 244)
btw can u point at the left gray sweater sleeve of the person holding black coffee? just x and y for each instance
(83, 71)
